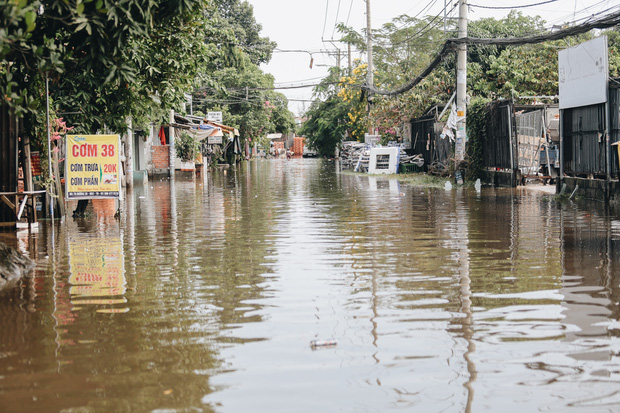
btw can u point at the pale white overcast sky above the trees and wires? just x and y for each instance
(309, 25)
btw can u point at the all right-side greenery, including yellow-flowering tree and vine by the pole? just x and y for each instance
(405, 46)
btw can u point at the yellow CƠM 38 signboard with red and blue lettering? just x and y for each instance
(93, 167)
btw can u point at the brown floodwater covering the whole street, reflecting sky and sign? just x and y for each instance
(205, 296)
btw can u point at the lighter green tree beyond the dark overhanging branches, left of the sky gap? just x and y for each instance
(235, 84)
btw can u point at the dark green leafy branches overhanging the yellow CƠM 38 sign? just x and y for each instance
(106, 60)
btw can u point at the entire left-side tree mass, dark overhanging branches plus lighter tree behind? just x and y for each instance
(109, 61)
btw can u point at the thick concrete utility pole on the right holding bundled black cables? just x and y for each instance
(461, 91)
